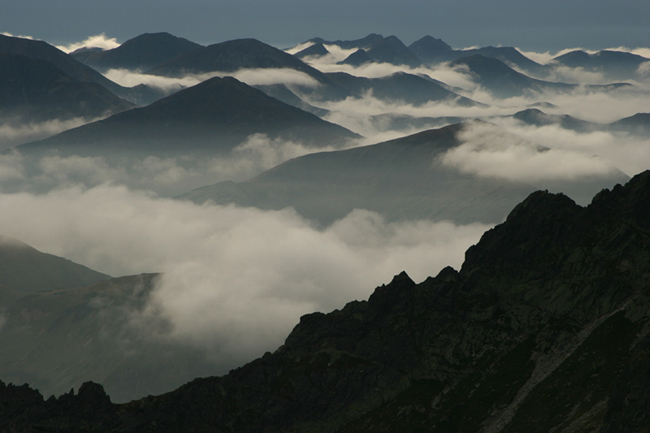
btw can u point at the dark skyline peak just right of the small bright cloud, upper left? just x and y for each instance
(140, 53)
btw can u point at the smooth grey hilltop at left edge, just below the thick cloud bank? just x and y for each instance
(25, 269)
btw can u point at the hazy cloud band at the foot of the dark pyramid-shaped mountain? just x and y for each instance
(162, 176)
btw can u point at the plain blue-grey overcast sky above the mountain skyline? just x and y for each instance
(533, 25)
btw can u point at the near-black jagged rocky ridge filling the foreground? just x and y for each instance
(544, 328)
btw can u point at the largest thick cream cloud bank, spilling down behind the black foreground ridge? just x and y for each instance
(236, 279)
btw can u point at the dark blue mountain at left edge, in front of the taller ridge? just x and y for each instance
(33, 90)
